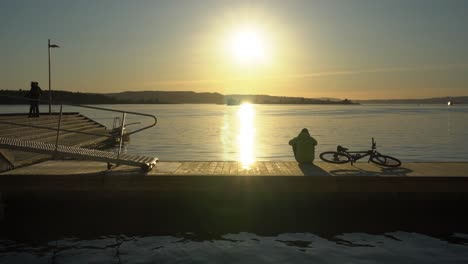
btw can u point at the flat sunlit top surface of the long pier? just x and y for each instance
(260, 168)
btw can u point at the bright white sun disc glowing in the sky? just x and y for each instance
(247, 46)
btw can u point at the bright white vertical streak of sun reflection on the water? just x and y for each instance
(246, 137)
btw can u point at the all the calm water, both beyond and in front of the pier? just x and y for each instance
(262, 132)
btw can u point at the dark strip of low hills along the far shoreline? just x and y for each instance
(189, 97)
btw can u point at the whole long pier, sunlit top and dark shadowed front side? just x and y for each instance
(64, 198)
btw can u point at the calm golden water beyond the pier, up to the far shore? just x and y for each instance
(262, 132)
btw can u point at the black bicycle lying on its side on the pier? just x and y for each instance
(342, 156)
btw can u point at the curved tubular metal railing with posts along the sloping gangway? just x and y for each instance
(58, 129)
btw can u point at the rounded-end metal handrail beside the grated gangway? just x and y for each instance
(90, 107)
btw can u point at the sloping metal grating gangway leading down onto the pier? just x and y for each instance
(146, 163)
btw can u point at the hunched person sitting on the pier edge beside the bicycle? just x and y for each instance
(304, 147)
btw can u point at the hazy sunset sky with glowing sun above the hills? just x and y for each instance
(345, 49)
